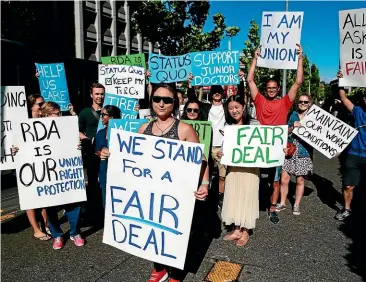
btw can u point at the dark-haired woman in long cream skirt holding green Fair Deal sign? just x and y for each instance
(241, 201)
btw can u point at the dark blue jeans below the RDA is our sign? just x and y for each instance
(72, 212)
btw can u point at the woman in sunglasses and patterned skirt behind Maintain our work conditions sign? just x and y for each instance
(300, 164)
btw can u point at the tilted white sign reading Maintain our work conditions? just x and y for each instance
(323, 131)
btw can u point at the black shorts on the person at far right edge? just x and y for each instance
(353, 169)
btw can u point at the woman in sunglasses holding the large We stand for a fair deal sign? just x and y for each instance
(164, 104)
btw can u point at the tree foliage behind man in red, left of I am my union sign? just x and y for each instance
(251, 45)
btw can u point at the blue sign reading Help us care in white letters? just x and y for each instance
(53, 85)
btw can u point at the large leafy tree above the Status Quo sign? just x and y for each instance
(177, 26)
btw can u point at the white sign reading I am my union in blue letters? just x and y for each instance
(280, 32)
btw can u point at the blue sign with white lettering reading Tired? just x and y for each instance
(128, 106)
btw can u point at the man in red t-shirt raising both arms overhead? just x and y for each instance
(273, 111)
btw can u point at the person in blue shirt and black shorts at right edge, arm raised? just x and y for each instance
(356, 158)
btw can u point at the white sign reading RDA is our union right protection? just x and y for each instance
(49, 166)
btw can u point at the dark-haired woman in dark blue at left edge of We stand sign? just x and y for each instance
(101, 146)
